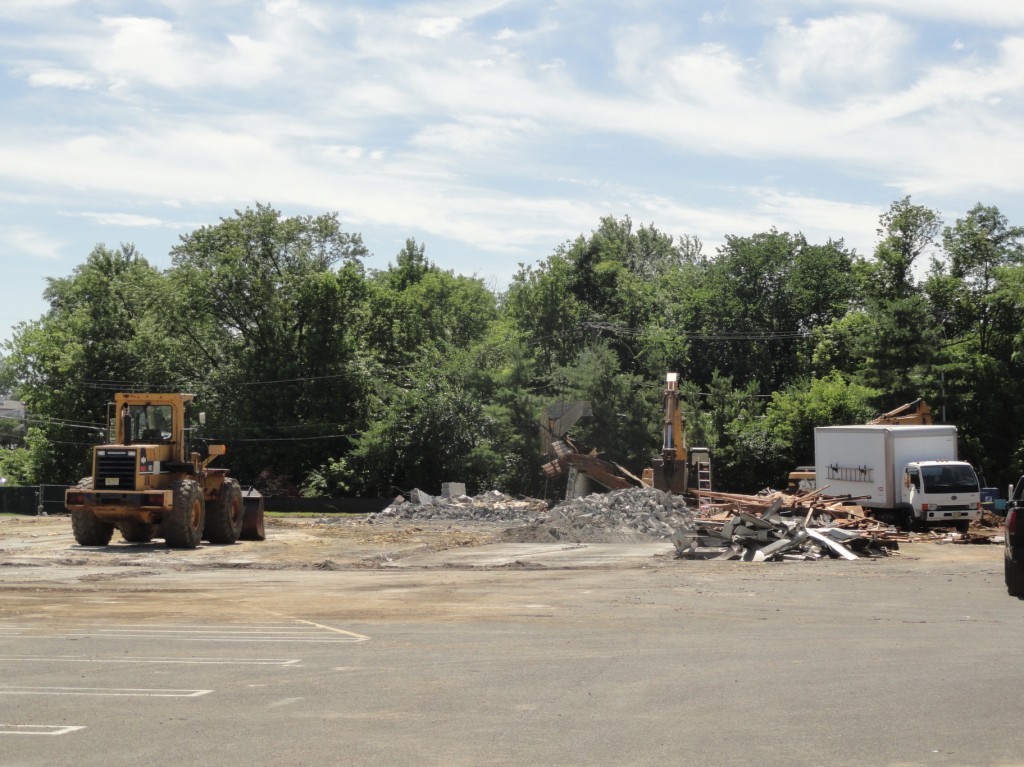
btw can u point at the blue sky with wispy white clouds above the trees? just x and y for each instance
(494, 131)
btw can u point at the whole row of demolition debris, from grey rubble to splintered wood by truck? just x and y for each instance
(773, 528)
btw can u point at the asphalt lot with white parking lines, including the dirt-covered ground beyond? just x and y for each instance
(492, 656)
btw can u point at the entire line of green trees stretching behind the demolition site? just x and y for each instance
(326, 377)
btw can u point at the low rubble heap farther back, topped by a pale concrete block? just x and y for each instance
(488, 507)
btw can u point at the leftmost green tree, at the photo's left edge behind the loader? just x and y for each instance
(101, 333)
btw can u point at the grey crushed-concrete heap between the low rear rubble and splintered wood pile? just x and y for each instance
(619, 517)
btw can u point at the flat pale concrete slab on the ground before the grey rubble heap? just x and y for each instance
(543, 556)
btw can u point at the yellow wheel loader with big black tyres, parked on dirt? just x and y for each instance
(148, 483)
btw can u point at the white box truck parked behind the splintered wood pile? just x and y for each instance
(905, 476)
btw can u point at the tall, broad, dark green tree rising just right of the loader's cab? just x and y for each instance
(272, 308)
